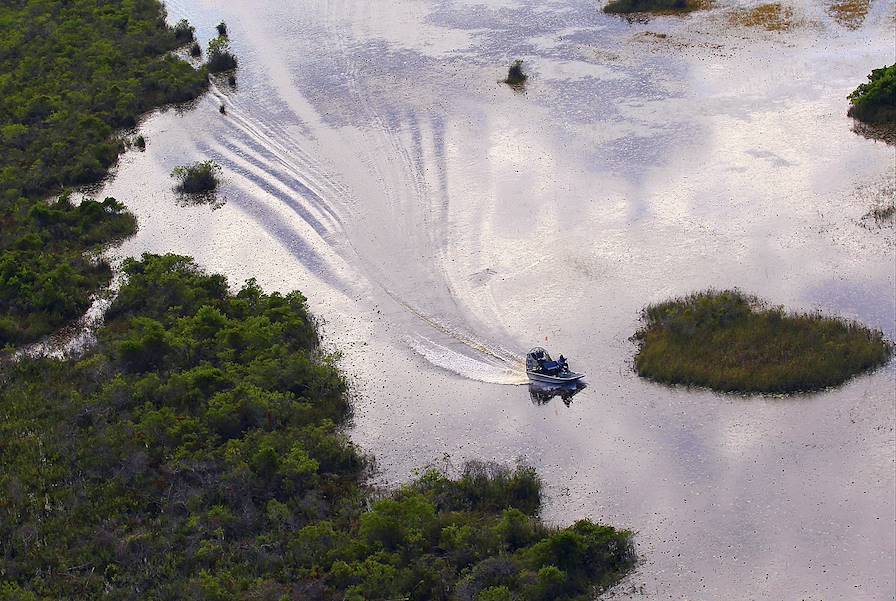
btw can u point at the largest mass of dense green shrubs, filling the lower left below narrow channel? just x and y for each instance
(196, 453)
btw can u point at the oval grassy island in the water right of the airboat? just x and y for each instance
(731, 342)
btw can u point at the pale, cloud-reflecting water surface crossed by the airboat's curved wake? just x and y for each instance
(442, 224)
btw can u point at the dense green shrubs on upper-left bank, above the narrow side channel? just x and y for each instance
(70, 74)
